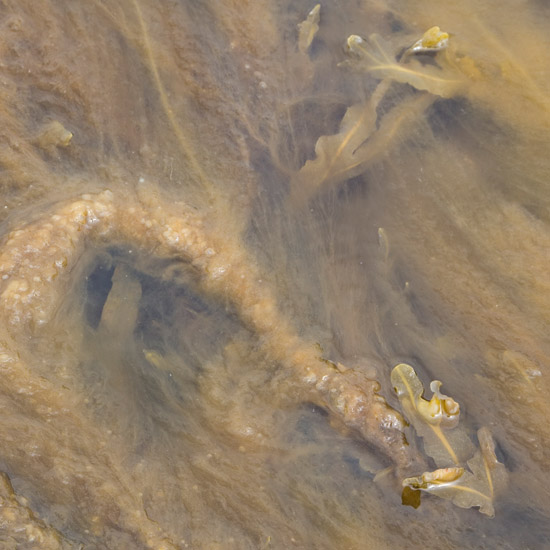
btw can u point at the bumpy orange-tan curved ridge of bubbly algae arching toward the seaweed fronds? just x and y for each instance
(37, 257)
